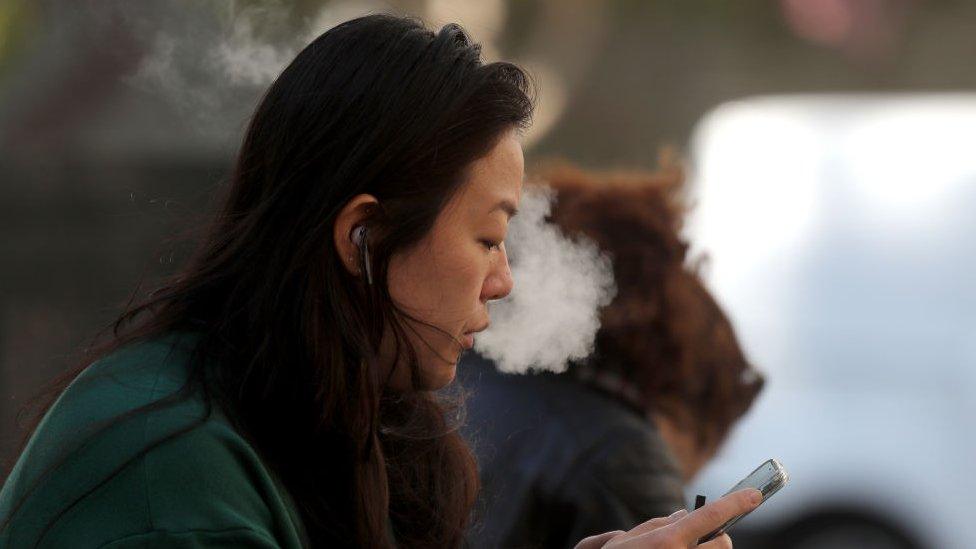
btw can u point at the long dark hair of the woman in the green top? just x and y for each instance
(377, 105)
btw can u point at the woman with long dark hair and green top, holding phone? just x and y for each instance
(277, 393)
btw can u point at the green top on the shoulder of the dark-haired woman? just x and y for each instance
(126, 452)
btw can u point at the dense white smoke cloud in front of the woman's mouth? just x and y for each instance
(552, 316)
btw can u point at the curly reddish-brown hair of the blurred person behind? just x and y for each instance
(664, 334)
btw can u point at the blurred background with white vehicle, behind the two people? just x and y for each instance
(830, 148)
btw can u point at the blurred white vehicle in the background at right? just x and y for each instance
(841, 234)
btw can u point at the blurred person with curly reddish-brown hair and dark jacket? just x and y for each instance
(630, 426)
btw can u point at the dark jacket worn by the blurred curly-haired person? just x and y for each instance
(560, 461)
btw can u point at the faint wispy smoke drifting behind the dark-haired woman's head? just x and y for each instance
(211, 60)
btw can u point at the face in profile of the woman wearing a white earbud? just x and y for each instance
(447, 278)
